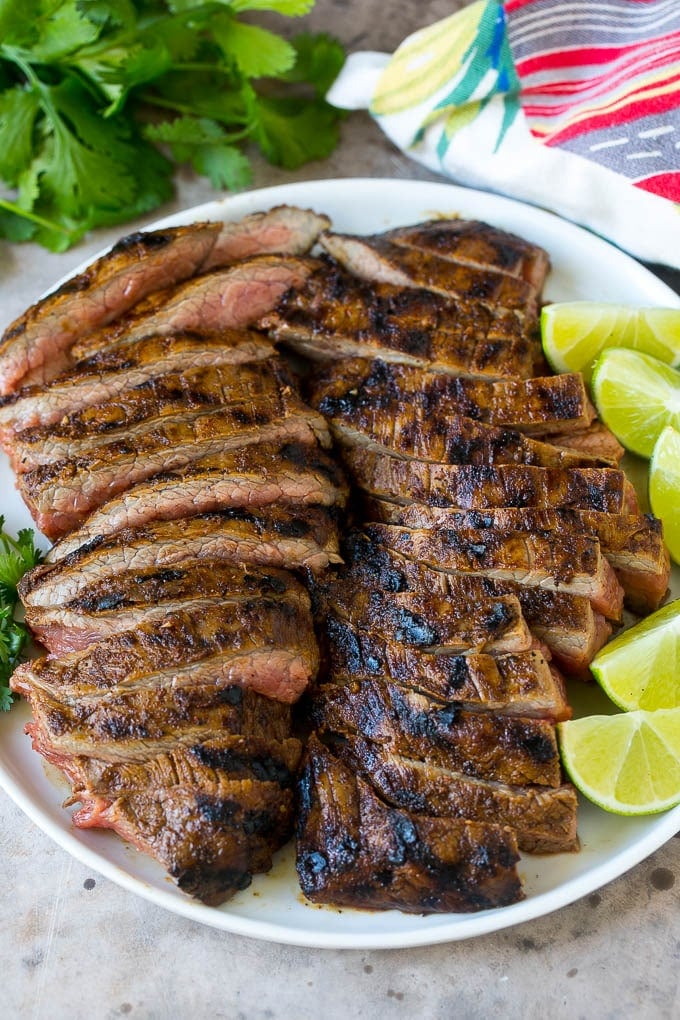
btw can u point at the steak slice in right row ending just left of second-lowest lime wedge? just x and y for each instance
(565, 624)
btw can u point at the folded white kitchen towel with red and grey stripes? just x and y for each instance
(573, 106)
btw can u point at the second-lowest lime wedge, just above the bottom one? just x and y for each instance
(641, 669)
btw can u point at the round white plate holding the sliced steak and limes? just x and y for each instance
(584, 267)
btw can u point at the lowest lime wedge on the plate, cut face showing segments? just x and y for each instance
(629, 764)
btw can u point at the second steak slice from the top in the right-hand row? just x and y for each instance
(378, 260)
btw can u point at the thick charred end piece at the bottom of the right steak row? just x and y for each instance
(354, 850)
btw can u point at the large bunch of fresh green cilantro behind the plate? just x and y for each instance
(100, 98)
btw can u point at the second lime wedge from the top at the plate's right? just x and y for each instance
(638, 396)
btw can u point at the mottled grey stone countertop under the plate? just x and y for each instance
(74, 945)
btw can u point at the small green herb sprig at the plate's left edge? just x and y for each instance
(17, 556)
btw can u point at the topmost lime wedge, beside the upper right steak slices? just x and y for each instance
(576, 333)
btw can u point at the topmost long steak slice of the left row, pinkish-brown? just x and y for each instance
(37, 346)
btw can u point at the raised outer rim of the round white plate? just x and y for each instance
(463, 926)
